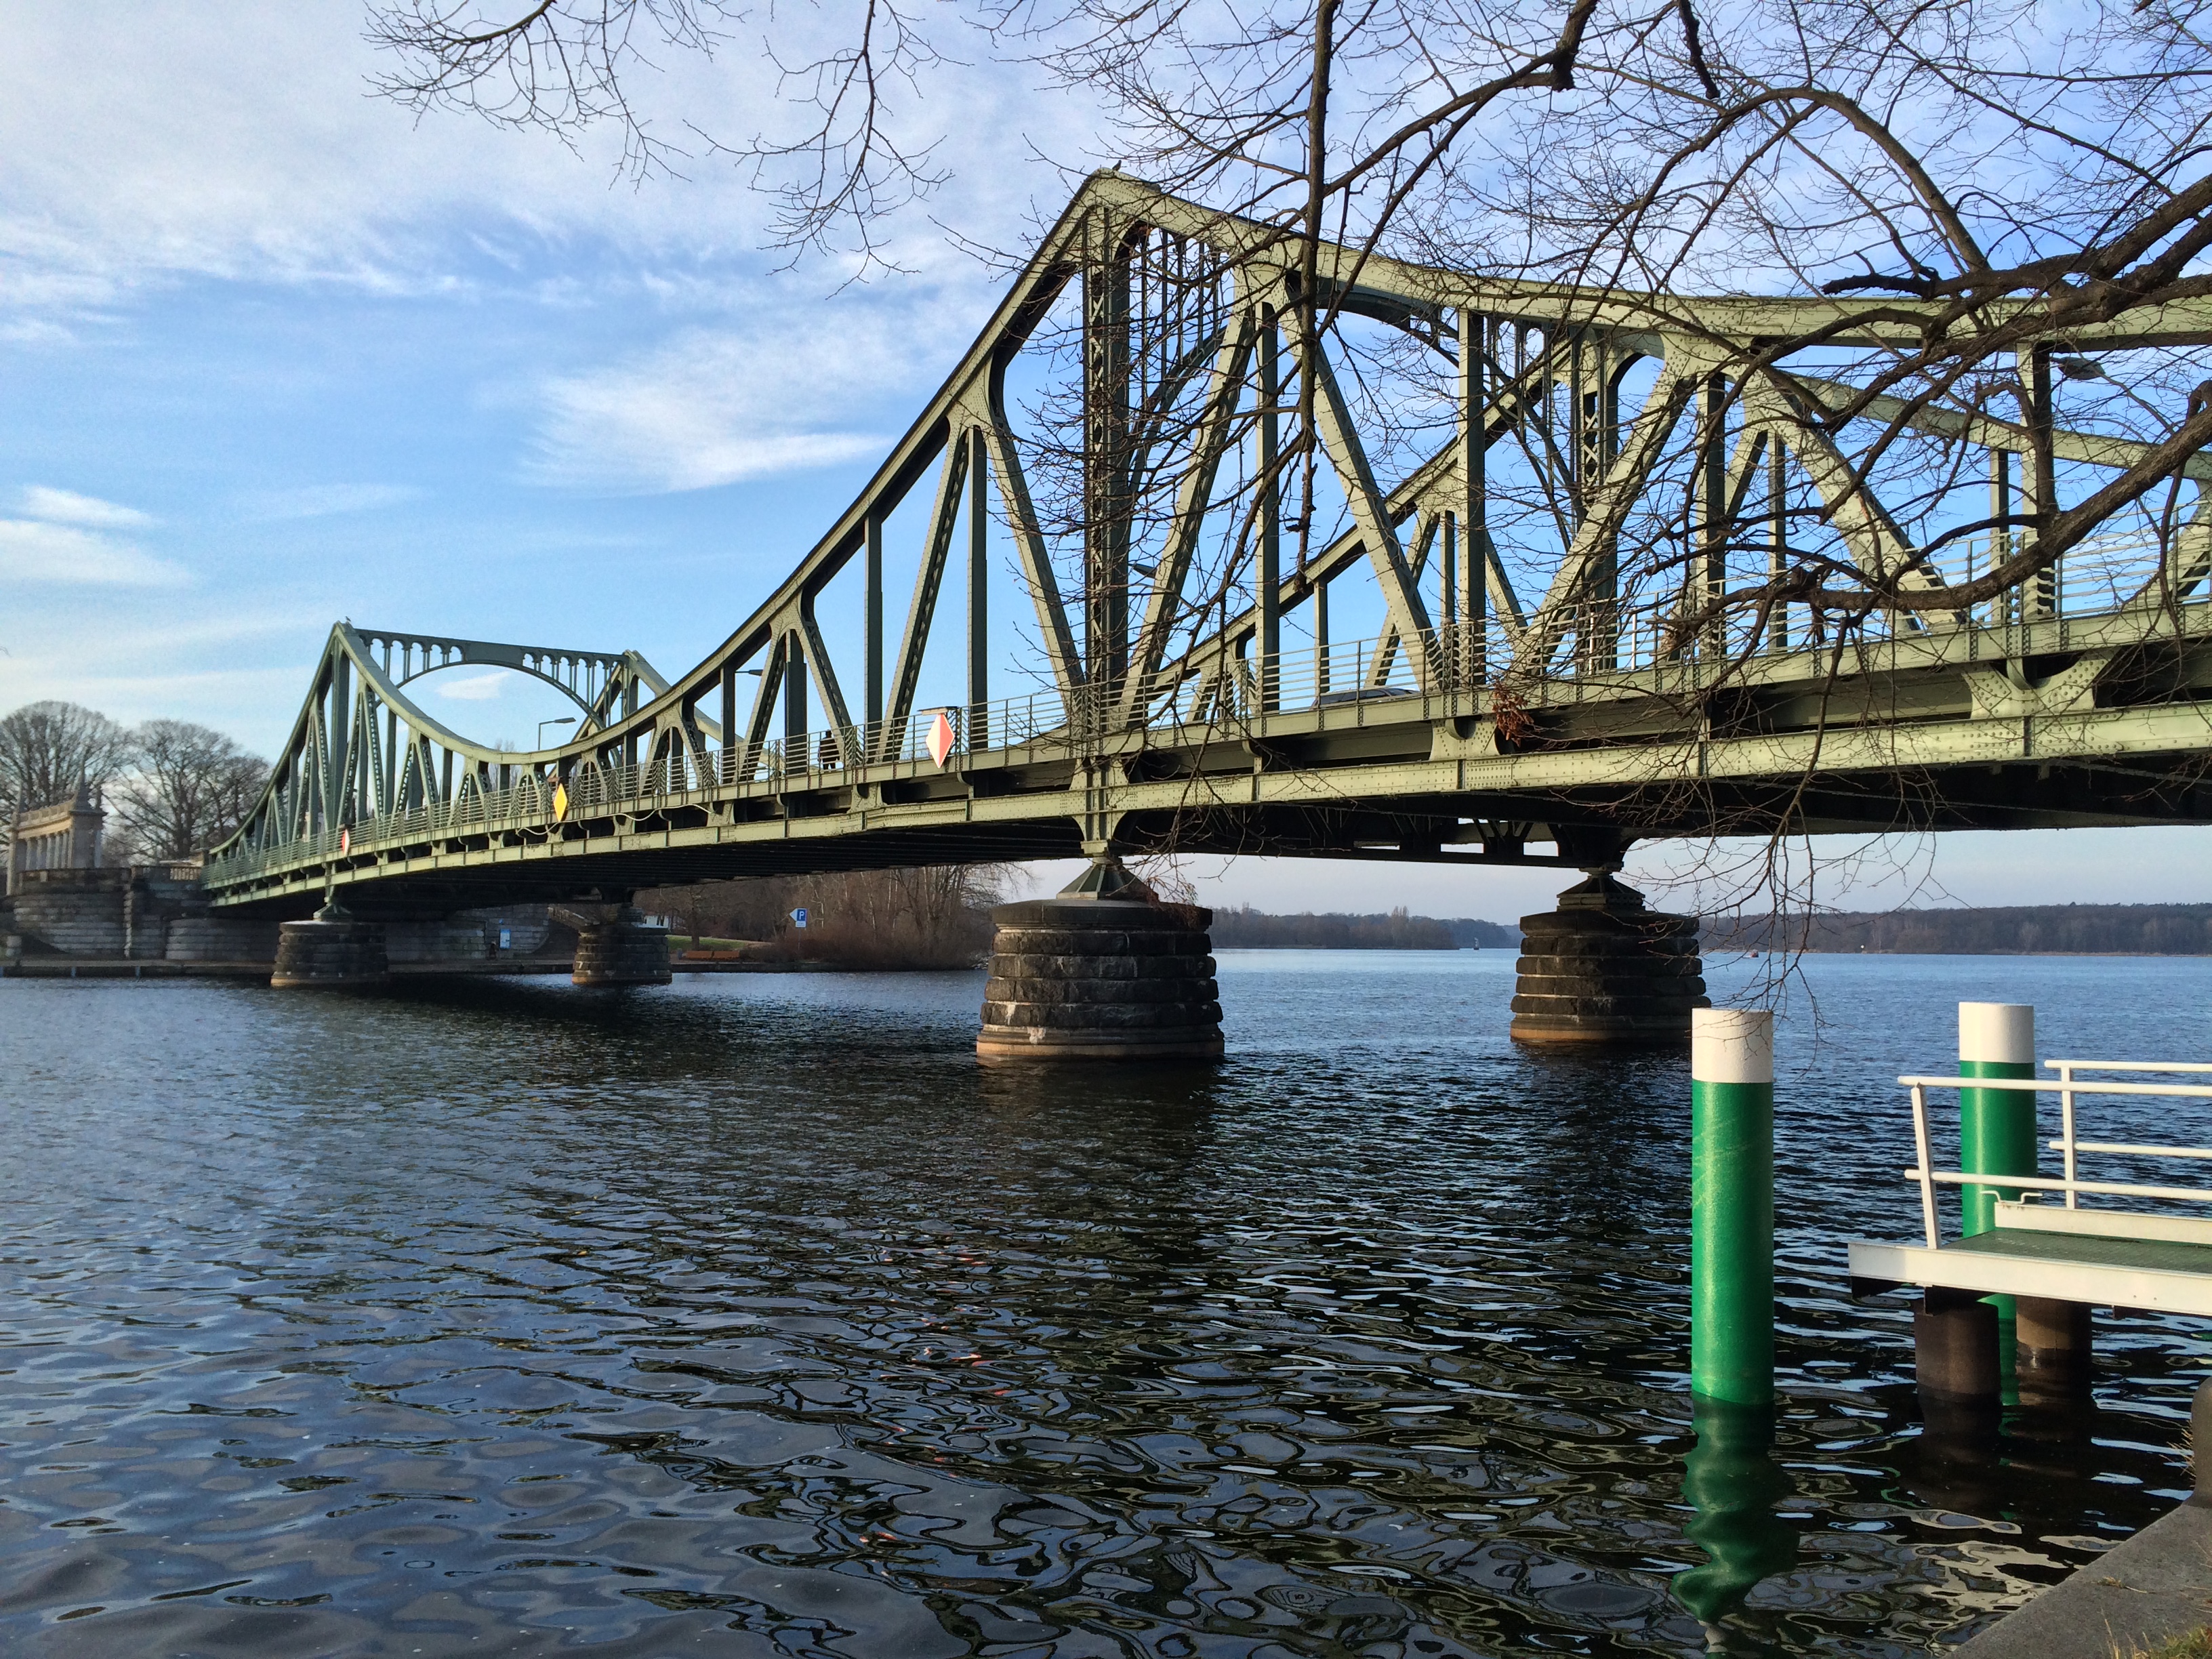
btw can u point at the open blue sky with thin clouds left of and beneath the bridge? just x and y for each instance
(275, 353)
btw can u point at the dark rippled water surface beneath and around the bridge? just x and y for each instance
(751, 1317)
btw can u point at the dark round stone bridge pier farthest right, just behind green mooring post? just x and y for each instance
(1605, 970)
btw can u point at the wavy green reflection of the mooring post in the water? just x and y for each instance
(1731, 1481)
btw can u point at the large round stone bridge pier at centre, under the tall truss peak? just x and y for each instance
(1100, 972)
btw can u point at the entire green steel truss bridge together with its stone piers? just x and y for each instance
(1536, 505)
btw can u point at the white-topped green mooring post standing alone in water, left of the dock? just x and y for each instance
(1733, 1204)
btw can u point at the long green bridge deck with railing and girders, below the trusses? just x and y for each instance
(1930, 735)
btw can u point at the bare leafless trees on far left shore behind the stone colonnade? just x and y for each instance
(171, 789)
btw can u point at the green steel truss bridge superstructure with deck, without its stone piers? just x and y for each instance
(1167, 711)
